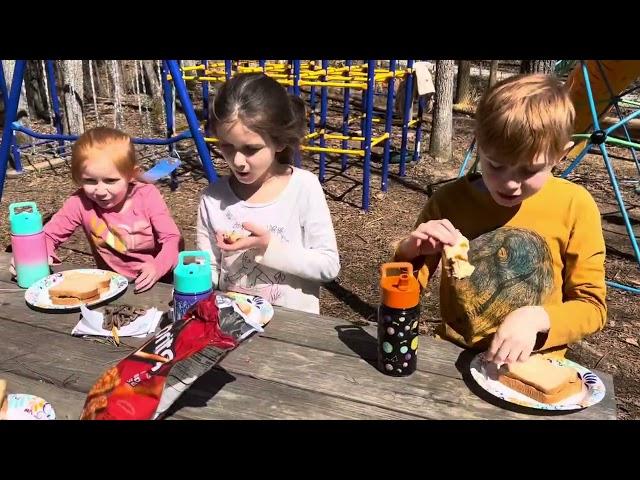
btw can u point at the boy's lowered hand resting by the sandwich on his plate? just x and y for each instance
(515, 338)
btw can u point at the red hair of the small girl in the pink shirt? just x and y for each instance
(119, 144)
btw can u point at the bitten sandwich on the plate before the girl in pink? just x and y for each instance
(76, 288)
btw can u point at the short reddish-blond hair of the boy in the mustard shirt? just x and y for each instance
(525, 116)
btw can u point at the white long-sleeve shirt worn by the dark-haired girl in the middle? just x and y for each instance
(302, 252)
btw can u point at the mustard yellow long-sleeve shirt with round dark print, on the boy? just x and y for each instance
(547, 251)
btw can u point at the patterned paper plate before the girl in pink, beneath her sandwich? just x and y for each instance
(38, 293)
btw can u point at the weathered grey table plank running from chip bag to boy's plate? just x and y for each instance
(423, 394)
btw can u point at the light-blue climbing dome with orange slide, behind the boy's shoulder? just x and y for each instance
(596, 88)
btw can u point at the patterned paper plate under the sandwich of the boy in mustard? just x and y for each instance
(593, 390)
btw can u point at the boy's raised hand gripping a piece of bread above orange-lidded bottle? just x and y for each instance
(429, 238)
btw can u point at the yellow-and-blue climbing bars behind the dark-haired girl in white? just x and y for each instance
(366, 78)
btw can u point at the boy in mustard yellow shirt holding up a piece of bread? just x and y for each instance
(535, 240)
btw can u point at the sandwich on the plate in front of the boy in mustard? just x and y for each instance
(540, 379)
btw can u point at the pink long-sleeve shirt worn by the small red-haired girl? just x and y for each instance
(120, 241)
